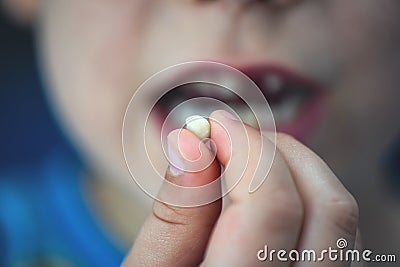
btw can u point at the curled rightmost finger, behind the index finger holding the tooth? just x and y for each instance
(331, 212)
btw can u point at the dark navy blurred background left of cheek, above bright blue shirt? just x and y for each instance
(28, 132)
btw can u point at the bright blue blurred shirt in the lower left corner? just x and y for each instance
(45, 220)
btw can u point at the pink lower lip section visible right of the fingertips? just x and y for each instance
(307, 120)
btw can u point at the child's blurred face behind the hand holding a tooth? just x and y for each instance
(96, 53)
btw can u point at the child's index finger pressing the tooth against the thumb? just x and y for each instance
(270, 216)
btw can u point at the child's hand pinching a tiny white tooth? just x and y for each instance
(301, 205)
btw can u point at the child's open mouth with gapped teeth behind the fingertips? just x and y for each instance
(296, 102)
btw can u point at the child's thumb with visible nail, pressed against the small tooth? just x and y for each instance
(172, 235)
